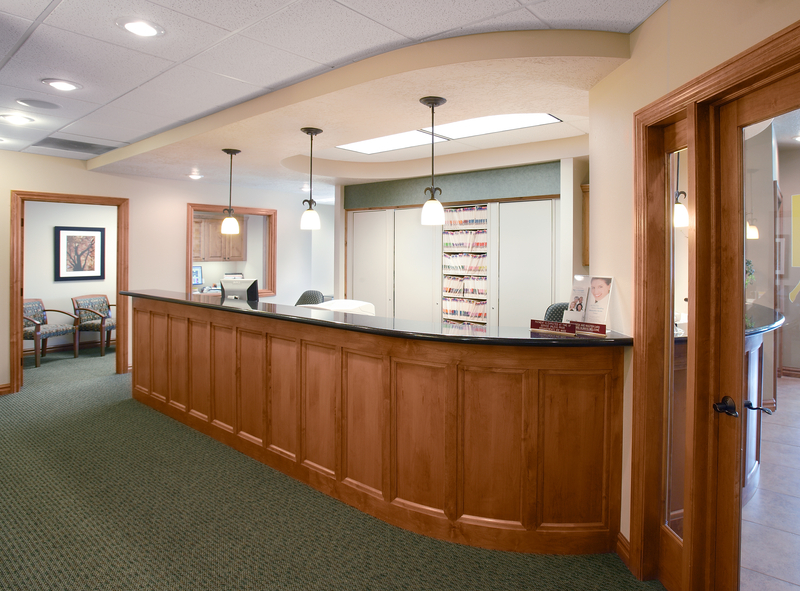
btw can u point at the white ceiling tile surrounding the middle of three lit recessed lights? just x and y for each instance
(106, 71)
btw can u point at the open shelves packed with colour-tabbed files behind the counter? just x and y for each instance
(465, 262)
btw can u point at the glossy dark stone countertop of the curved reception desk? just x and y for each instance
(360, 323)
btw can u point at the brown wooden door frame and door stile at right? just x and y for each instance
(710, 362)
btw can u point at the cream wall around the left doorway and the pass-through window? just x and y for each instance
(157, 225)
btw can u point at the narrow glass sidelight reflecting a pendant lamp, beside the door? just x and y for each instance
(678, 253)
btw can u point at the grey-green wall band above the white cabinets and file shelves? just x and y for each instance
(499, 183)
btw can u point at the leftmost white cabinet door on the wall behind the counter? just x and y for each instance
(372, 248)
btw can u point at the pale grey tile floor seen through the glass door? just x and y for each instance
(771, 520)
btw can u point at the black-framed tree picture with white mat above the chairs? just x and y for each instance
(80, 253)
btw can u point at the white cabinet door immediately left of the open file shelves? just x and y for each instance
(417, 267)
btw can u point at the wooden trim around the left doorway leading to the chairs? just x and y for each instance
(18, 199)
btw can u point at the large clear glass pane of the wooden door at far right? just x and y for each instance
(771, 186)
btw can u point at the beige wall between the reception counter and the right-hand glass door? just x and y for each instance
(682, 40)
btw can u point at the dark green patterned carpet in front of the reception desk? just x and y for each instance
(97, 491)
